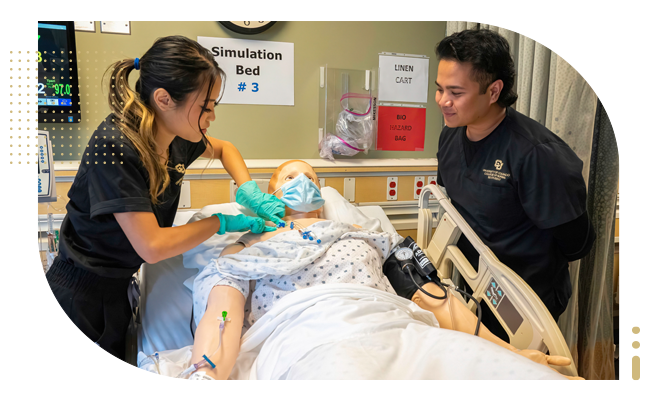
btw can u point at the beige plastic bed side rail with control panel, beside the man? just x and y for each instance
(520, 311)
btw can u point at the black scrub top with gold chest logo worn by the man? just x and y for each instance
(522, 181)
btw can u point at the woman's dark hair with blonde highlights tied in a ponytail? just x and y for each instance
(175, 63)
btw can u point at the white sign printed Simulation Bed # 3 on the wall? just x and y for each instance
(257, 71)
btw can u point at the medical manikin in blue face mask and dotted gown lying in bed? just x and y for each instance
(217, 338)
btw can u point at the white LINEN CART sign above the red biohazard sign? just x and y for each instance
(403, 79)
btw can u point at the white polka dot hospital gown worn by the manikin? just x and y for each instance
(357, 257)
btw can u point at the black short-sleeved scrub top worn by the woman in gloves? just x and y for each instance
(112, 179)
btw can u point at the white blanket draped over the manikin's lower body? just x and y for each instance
(348, 331)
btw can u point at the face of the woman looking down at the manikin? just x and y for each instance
(183, 119)
